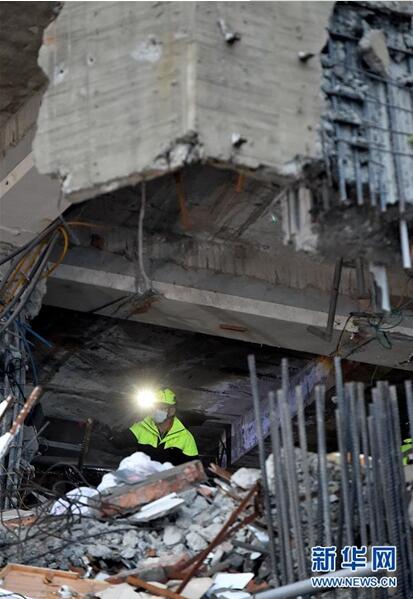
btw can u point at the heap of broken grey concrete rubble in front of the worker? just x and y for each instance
(191, 532)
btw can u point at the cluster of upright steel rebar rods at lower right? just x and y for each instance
(372, 501)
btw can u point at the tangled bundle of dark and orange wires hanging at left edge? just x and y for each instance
(29, 264)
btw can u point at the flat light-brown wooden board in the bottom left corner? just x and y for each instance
(41, 583)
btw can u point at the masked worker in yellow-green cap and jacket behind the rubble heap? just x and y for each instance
(161, 435)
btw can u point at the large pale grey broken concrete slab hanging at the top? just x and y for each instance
(171, 89)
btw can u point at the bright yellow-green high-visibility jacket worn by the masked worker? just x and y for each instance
(178, 437)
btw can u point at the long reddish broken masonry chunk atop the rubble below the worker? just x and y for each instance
(127, 498)
